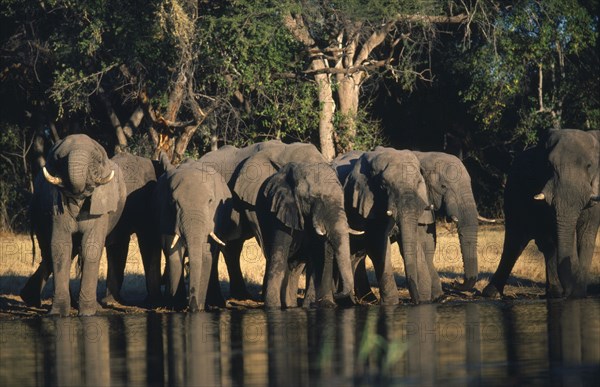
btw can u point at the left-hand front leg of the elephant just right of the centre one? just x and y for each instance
(380, 254)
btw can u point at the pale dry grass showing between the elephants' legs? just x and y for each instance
(528, 275)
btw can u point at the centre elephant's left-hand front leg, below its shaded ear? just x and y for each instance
(277, 257)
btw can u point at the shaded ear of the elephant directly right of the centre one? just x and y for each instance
(357, 188)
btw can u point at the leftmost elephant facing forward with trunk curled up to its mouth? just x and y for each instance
(78, 198)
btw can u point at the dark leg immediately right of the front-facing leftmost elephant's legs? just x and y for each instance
(116, 256)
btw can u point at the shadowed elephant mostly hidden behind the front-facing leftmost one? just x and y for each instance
(139, 176)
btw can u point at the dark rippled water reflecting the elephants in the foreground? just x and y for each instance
(495, 343)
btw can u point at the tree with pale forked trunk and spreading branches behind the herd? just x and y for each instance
(345, 42)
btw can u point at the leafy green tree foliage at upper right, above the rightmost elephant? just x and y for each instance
(555, 37)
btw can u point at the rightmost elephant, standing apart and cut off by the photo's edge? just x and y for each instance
(551, 197)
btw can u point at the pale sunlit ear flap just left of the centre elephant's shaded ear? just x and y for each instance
(252, 176)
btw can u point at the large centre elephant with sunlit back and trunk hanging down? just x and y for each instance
(262, 187)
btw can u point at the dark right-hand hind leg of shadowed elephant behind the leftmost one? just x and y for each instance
(151, 255)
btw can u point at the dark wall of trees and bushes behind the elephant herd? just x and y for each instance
(479, 79)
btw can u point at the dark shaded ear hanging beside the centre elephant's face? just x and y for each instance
(280, 193)
